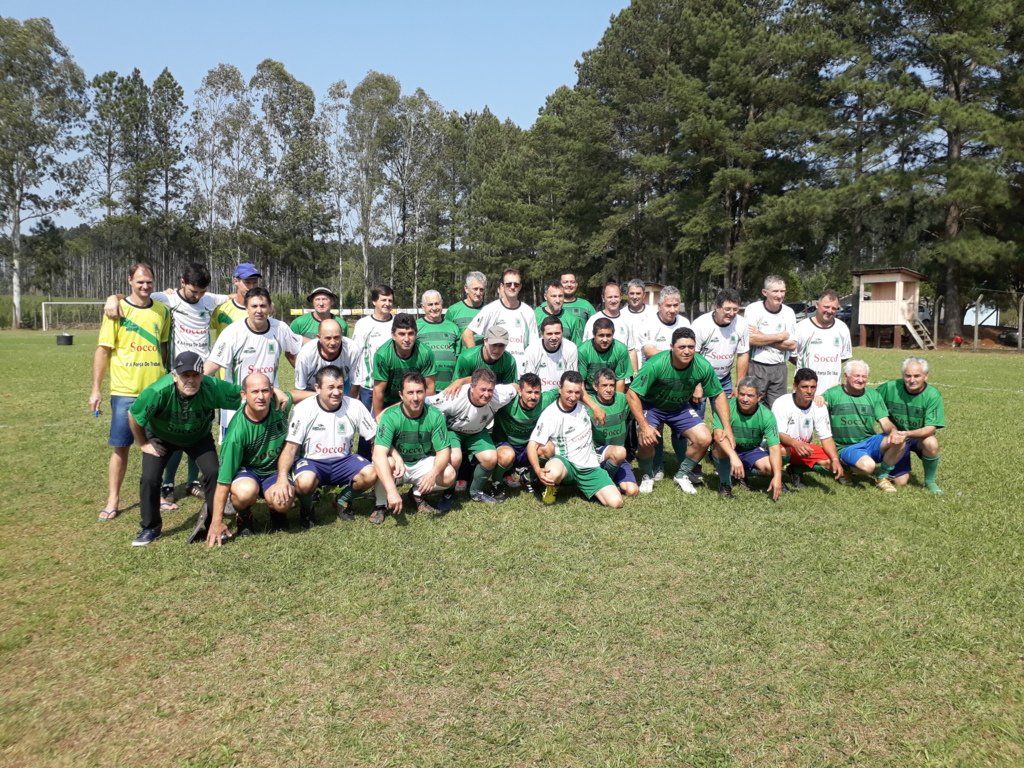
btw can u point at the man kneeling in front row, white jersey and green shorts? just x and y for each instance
(565, 433)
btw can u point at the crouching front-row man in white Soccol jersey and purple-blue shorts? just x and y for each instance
(325, 428)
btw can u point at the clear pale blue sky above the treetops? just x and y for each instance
(466, 56)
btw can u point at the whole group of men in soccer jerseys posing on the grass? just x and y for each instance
(495, 396)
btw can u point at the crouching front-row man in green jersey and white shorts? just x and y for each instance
(418, 434)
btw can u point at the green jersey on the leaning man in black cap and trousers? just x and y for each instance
(179, 420)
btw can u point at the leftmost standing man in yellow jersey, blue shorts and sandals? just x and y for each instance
(134, 349)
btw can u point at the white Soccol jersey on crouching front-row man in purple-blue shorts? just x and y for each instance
(329, 435)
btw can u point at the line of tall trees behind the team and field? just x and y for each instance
(705, 145)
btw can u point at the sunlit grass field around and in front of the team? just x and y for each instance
(839, 627)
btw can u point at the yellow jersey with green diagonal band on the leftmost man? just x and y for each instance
(137, 361)
